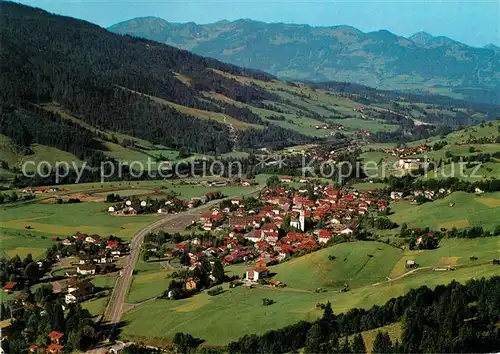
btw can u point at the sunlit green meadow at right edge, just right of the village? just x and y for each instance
(469, 210)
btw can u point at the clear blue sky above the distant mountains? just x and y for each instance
(474, 22)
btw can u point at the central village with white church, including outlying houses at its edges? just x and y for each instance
(280, 223)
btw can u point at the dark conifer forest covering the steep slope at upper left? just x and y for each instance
(114, 83)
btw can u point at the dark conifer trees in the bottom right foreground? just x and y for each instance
(463, 317)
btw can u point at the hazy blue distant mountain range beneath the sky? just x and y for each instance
(379, 59)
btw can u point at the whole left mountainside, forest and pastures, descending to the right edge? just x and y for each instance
(74, 91)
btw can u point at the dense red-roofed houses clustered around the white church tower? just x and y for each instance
(258, 234)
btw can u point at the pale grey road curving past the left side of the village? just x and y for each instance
(114, 309)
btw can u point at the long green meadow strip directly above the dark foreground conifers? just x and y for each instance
(232, 314)
